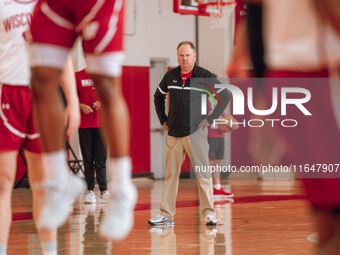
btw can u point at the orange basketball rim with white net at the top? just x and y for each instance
(219, 12)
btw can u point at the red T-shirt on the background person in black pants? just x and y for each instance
(87, 95)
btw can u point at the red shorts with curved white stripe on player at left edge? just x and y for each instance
(17, 125)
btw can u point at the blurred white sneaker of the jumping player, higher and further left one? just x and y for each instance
(57, 200)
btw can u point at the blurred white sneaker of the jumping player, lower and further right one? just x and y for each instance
(118, 222)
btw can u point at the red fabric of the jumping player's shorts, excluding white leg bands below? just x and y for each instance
(99, 22)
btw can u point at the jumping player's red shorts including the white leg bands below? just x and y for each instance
(60, 22)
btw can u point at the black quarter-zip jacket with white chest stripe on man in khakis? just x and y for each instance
(184, 114)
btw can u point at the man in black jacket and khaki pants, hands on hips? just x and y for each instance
(186, 124)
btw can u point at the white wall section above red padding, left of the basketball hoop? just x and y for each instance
(157, 33)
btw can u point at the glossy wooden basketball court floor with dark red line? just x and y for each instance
(266, 217)
